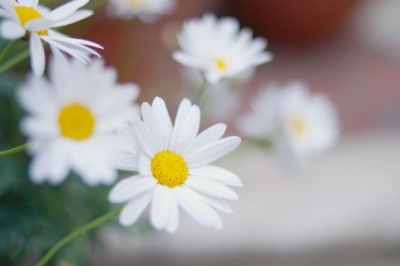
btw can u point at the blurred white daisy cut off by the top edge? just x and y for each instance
(145, 10)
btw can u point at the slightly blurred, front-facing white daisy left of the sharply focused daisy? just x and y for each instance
(71, 121)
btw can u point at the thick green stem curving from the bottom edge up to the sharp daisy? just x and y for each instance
(80, 231)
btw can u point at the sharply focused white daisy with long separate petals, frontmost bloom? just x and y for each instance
(173, 169)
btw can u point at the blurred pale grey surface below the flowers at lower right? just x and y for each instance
(343, 209)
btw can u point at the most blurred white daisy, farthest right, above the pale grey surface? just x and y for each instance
(292, 118)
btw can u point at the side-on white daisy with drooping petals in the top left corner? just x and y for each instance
(27, 19)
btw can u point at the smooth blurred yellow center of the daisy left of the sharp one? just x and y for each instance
(76, 121)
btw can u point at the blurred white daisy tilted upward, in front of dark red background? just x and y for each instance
(218, 48)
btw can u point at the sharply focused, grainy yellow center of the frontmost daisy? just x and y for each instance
(169, 169)
